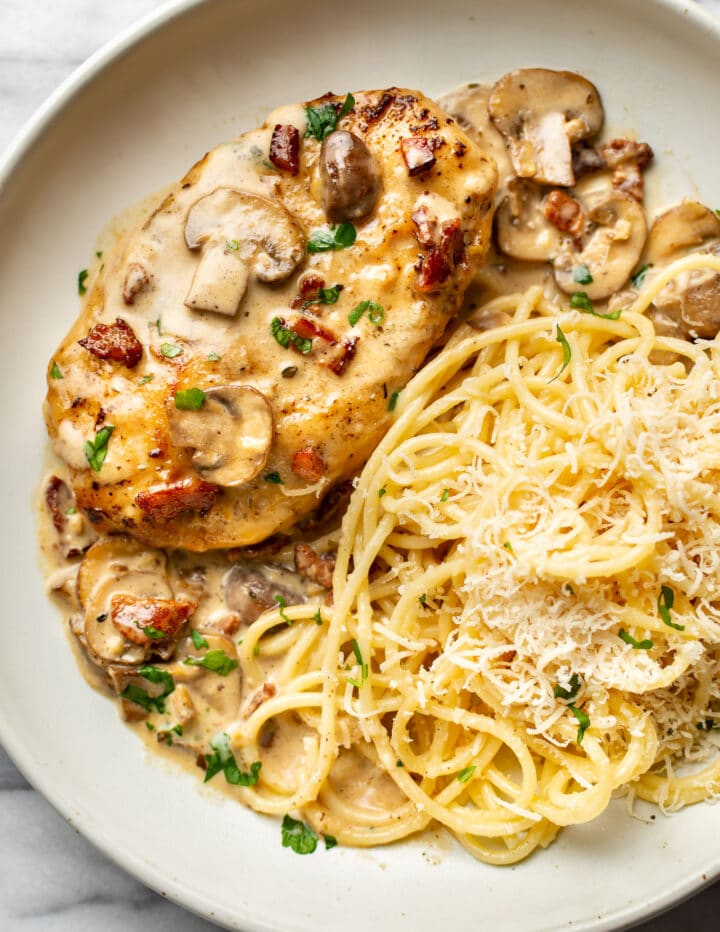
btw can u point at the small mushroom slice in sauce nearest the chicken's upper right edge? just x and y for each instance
(521, 227)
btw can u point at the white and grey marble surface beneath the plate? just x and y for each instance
(51, 879)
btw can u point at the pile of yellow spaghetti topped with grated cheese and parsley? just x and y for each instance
(527, 592)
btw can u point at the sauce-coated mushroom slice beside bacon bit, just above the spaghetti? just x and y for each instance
(609, 249)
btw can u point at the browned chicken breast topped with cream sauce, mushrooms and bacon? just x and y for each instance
(240, 353)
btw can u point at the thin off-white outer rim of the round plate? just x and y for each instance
(193, 900)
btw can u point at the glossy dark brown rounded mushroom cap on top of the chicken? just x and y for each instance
(349, 175)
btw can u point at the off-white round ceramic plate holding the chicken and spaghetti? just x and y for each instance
(131, 120)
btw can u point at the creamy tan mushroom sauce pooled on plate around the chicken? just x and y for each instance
(205, 703)
